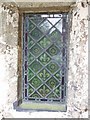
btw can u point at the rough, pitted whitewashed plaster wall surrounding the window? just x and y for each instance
(77, 102)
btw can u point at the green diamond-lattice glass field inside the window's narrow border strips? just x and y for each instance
(45, 54)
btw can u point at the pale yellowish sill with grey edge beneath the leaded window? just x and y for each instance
(37, 106)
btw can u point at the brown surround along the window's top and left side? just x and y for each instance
(49, 9)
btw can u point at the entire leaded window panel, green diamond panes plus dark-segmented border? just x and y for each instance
(45, 57)
